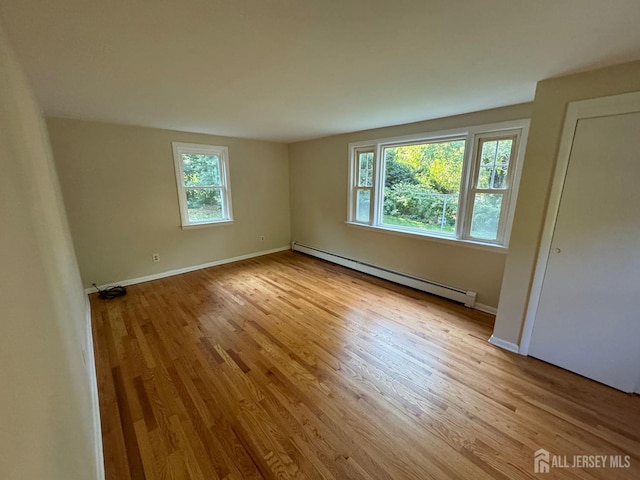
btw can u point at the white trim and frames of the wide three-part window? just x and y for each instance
(472, 135)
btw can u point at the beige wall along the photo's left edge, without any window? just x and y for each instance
(47, 401)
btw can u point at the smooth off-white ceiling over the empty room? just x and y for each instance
(287, 70)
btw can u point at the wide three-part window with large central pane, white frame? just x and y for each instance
(457, 185)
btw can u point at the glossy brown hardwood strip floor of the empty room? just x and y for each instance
(285, 366)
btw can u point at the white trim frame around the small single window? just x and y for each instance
(200, 149)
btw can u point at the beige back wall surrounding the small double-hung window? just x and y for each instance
(120, 192)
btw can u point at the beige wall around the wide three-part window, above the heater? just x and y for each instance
(319, 188)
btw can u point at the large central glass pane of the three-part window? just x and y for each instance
(422, 184)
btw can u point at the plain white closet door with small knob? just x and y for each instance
(588, 316)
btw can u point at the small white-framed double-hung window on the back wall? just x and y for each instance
(202, 175)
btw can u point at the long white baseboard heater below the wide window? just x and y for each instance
(465, 297)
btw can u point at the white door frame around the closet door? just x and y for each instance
(582, 109)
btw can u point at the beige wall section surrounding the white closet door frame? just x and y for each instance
(552, 97)
